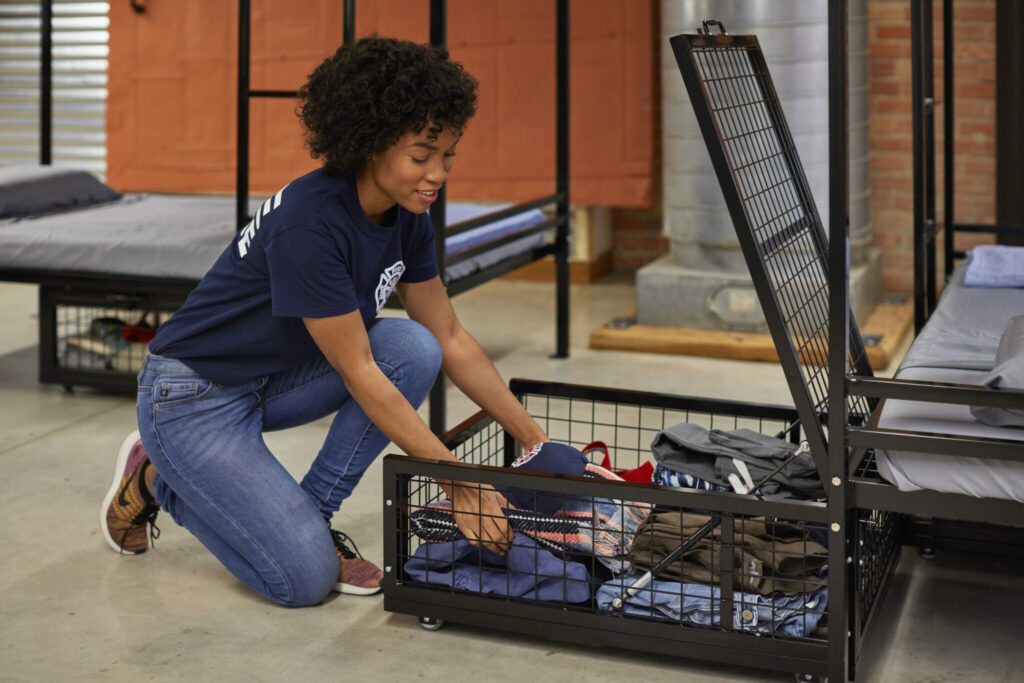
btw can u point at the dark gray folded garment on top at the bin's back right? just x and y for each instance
(731, 459)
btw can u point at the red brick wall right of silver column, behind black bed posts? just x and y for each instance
(891, 125)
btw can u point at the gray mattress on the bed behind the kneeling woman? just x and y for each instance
(172, 237)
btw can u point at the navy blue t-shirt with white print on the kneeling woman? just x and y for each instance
(310, 252)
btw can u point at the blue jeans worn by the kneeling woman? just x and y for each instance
(217, 478)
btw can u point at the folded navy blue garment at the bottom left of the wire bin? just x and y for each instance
(525, 572)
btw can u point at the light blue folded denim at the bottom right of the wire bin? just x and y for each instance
(781, 614)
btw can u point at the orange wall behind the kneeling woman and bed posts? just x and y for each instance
(172, 111)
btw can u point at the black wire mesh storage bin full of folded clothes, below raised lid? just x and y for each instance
(753, 592)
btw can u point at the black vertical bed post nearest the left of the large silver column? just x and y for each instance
(563, 179)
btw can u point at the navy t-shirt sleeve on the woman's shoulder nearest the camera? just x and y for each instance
(309, 275)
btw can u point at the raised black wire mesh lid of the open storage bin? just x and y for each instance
(772, 207)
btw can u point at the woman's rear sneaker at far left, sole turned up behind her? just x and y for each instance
(129, 515)
